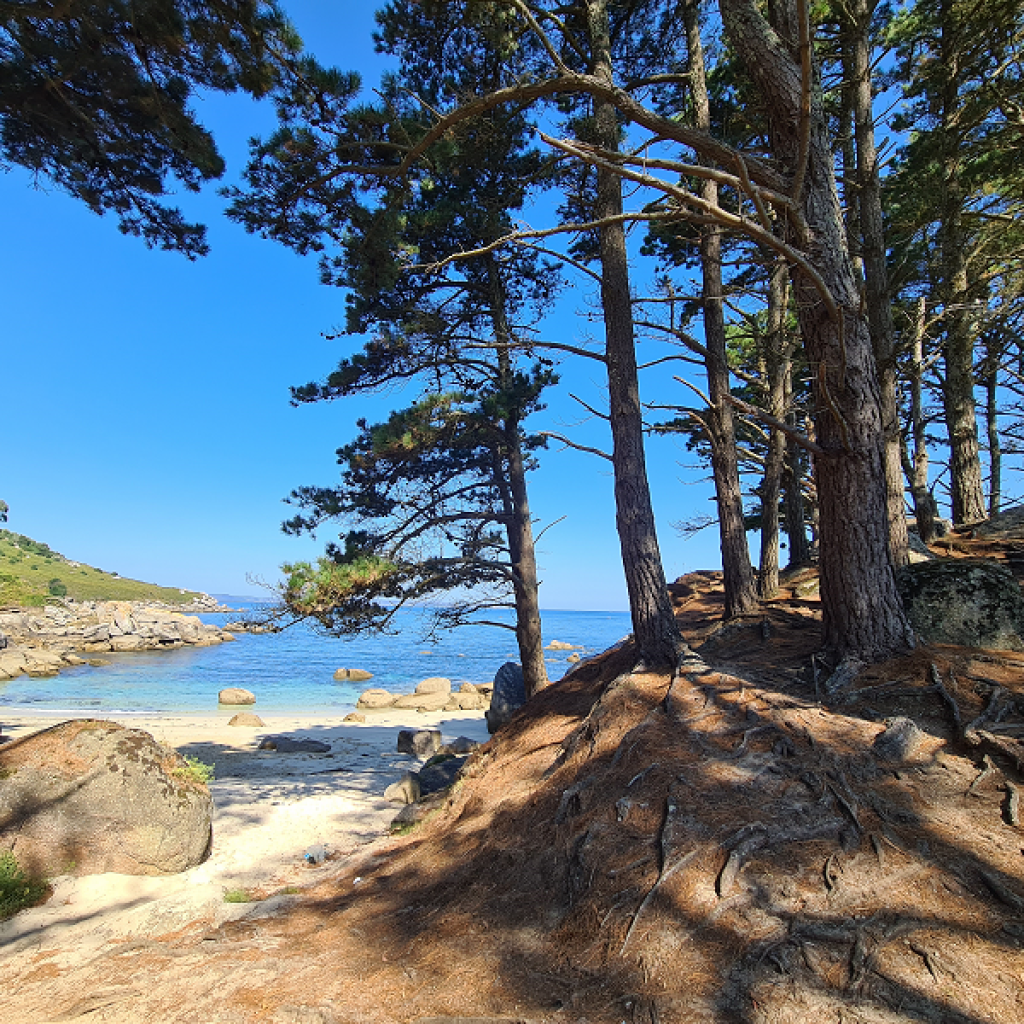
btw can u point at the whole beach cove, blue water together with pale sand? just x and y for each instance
(271, 808)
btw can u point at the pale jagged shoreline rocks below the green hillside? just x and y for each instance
(40, 644)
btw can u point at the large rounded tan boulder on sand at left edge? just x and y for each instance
(90, 797)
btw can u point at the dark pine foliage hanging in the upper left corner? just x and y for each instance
(95, 96)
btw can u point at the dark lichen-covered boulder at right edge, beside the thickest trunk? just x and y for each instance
(968, 602)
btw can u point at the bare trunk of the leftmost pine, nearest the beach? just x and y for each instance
(520, 528)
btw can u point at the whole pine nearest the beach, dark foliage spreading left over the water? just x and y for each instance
(436, 499)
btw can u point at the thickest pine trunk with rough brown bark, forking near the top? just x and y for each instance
(863, 616)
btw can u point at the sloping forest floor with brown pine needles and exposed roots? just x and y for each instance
(723, 846)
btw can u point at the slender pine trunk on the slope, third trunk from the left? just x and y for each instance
(741, 591)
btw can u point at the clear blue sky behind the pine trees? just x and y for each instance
(147, 428)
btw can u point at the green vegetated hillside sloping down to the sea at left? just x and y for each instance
(32, 575)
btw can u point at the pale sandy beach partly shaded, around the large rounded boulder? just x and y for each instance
(270, 809)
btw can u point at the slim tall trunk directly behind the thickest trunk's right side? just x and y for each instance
(873, 249)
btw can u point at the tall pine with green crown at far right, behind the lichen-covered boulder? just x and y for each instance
(955, 197)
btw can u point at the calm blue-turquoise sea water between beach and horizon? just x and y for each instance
(292, 671)
